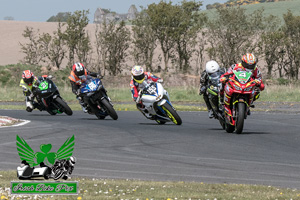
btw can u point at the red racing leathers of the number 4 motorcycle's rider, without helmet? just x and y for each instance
(238, 67)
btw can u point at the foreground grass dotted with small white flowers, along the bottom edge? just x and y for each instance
(136, 189)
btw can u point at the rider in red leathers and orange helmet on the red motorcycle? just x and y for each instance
(249, 63)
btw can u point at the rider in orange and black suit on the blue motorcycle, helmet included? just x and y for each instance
(78, 76)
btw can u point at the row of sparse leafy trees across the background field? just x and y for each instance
(182, 34)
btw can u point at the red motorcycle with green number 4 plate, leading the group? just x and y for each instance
(239, 92)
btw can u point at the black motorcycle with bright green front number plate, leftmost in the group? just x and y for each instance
(49, 99)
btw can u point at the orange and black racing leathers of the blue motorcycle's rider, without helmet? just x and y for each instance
(76, 83)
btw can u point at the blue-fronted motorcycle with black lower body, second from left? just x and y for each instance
(95, 96)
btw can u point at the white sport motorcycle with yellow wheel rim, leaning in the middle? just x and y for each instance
(156, 103)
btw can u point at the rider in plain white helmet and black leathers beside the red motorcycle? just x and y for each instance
(211, 67)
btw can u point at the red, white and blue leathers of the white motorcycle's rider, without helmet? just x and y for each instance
(136, 87)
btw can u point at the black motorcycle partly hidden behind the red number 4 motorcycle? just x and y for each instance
(213, 89)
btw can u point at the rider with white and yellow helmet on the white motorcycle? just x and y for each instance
(137, 78)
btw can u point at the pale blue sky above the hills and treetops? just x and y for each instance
(41, 10)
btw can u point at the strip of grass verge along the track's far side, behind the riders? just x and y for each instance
(273, 93)
